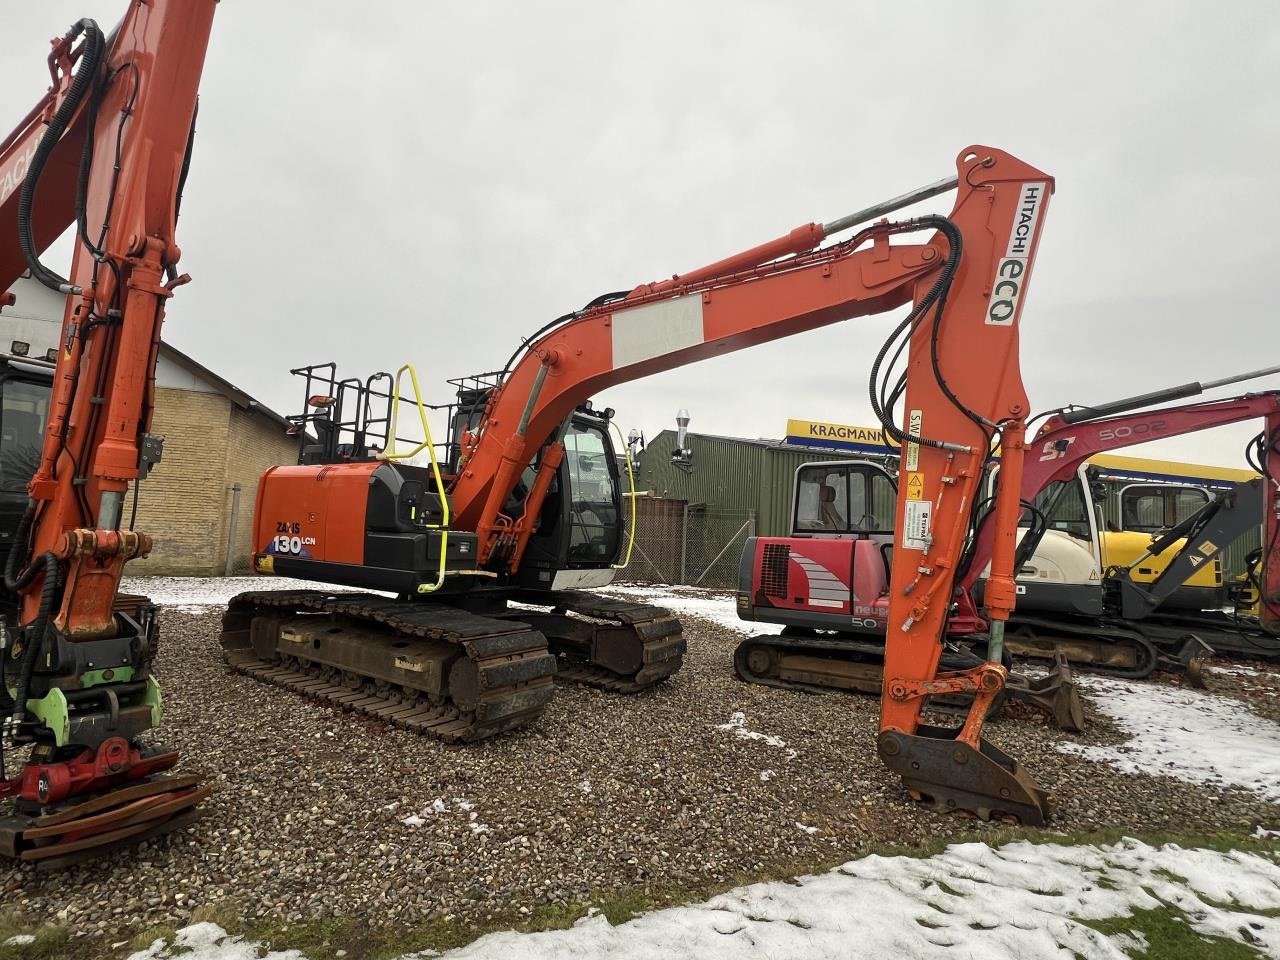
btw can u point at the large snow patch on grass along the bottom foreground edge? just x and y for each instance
(1021, 902)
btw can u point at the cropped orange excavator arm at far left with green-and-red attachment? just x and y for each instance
(107, 152)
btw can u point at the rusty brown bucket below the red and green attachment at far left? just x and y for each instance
(85, 829)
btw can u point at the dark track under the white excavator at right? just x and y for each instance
(1099, 646)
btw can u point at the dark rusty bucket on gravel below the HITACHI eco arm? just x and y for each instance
(952, 776)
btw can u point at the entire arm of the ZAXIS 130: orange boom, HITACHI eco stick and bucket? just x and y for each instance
(963, 390)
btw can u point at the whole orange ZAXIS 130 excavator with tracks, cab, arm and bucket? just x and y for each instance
(474, 555)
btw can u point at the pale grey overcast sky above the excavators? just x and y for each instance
(400, 181)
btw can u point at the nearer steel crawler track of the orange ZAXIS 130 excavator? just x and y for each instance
(427, 668)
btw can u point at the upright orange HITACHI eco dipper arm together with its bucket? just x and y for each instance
(962, 394)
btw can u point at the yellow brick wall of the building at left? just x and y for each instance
(185, 505)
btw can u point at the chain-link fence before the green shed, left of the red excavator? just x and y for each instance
(688, 543)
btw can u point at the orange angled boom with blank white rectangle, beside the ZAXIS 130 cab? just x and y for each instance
(772, 291)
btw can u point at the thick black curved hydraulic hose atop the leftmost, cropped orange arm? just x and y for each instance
(86, 76)
